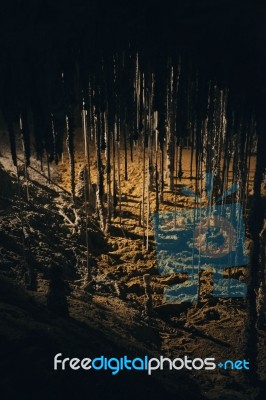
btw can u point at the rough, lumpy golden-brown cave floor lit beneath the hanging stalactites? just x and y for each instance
(211, 327)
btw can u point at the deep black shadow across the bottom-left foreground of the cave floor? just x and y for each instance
(28, 359)
